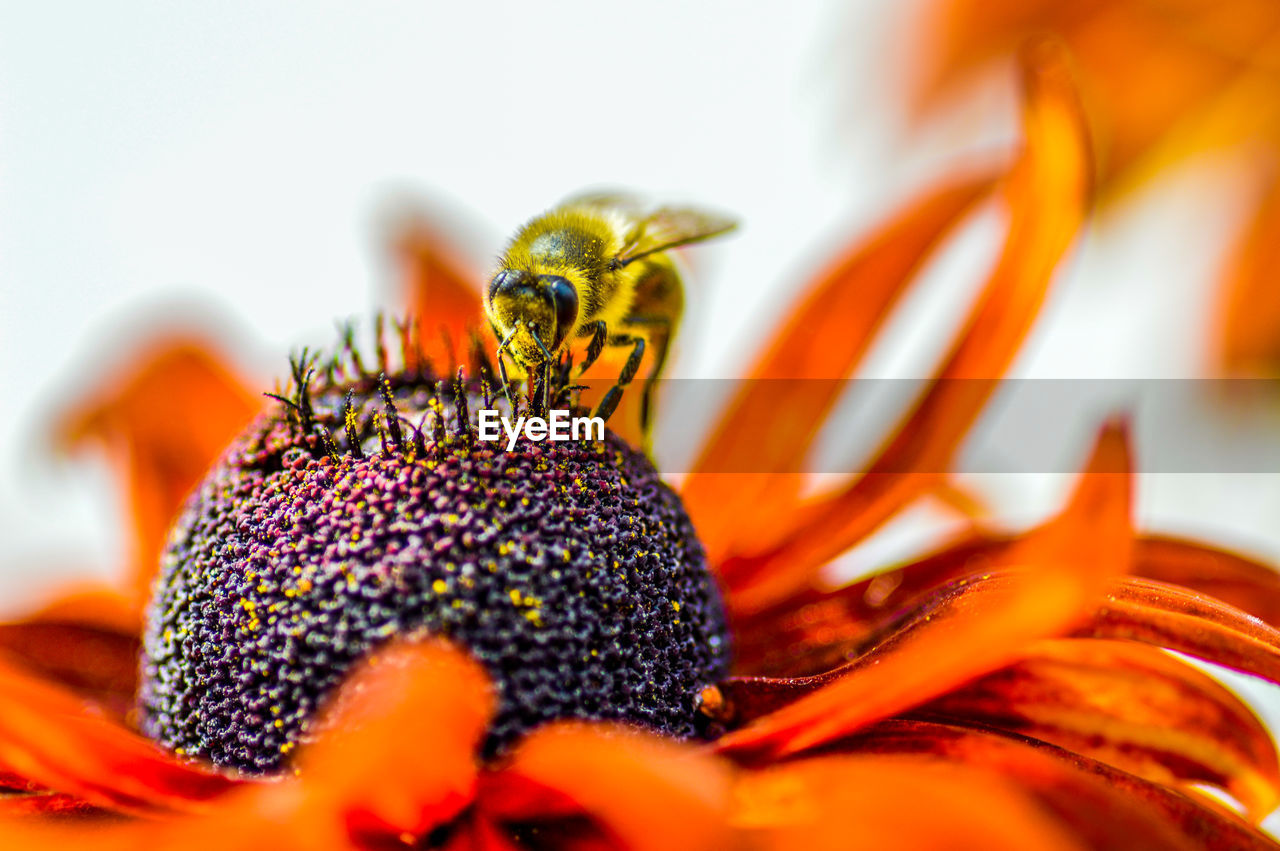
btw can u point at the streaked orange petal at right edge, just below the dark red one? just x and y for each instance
(1188, 623)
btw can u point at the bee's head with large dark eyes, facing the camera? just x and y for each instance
(529, 305)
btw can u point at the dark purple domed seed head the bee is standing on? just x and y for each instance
(569, 570)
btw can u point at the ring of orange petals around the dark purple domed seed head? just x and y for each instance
(1009, 692)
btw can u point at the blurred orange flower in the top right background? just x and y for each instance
(1164, 81)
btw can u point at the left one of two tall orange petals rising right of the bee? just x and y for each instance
(771, 424)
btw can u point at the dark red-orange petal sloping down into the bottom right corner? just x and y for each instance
(1110, 809)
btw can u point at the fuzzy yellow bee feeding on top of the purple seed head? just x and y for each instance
(595, 269)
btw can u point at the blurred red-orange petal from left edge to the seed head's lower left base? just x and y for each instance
(58, 742)
